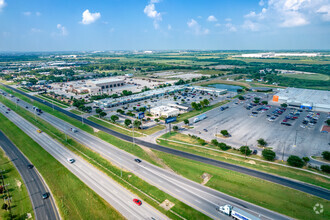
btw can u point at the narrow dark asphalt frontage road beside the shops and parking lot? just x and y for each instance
(304, 187)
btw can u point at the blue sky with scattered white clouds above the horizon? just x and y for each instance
(85, 25)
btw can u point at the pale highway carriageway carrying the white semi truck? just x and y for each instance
(195, 195)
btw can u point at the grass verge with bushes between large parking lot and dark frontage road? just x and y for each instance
(253, 164)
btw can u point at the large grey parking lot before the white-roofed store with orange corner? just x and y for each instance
(298, 138)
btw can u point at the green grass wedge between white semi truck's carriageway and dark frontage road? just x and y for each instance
(269, 195)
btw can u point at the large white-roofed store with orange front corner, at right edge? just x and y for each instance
(316, 100)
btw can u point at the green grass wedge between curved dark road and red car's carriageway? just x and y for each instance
(74, 199)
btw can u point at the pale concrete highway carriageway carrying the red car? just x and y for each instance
(116, 195)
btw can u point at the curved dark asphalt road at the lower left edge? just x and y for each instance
(44, 209)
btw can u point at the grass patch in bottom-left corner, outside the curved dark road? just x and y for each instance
(20, 203)
